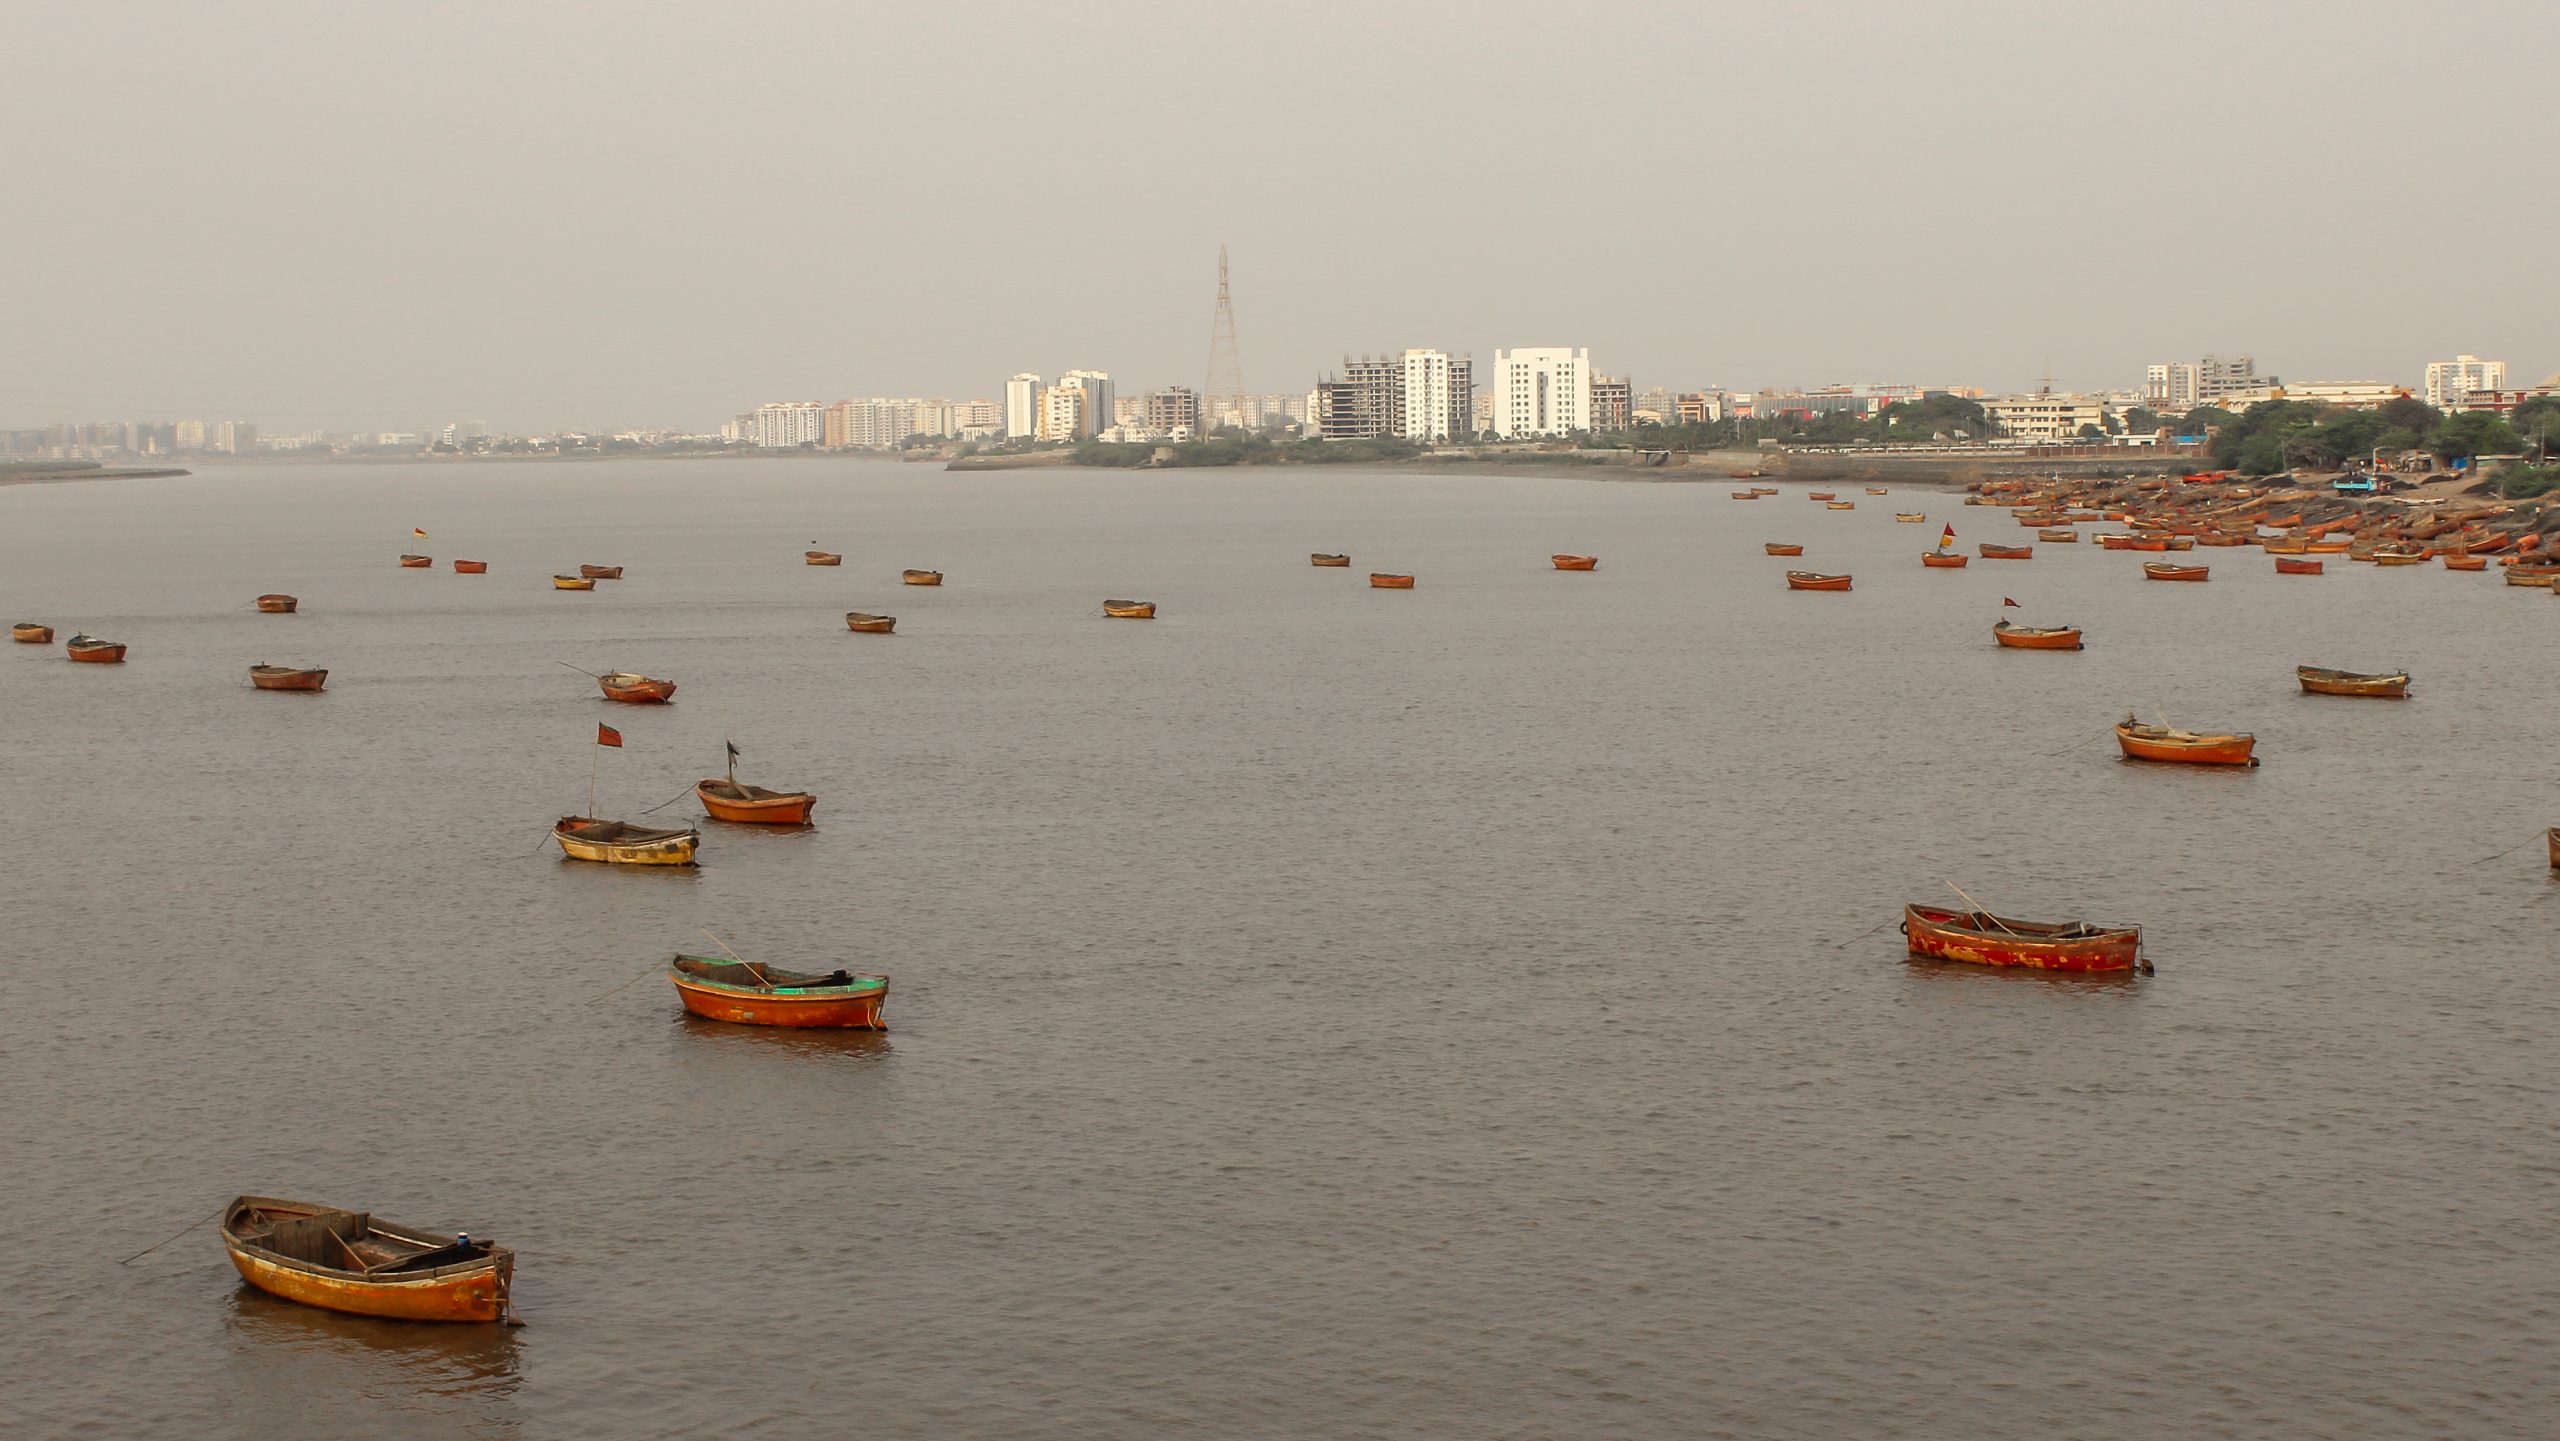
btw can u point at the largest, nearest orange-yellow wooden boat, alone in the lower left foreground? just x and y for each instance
(347, 1261)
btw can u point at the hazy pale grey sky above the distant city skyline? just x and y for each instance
(659, 214)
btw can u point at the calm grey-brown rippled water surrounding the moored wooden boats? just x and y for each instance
(1320, 1012)
